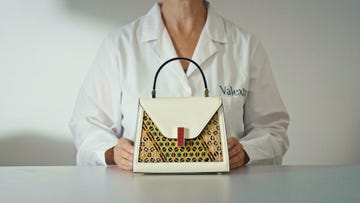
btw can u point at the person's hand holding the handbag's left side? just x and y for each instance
(123, 154)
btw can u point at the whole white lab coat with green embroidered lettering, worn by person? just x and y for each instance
(235, 65)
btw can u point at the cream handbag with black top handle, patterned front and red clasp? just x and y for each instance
(180, 134)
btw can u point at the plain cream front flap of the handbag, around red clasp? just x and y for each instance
(191, 113)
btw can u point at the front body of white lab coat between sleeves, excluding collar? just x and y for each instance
(225, 65)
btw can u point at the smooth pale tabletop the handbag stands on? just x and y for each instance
(249, 184)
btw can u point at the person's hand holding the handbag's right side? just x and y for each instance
(237, 154)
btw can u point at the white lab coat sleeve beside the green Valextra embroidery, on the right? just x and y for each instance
(265, 117)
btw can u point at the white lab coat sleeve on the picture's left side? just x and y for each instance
(96, 120)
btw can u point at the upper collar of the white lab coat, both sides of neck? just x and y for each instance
(153, 25)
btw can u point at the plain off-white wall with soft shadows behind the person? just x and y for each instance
(46, 47)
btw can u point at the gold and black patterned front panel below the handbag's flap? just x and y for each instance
(155, 147)
